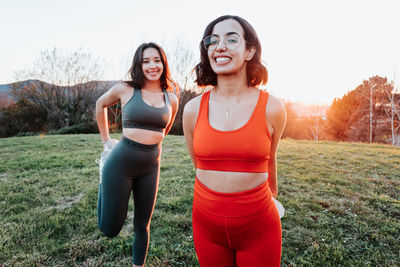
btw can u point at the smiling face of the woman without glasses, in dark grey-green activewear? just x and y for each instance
(152, 65)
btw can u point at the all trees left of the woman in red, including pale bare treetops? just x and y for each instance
(65, 103)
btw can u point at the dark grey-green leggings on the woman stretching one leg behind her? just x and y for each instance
(135, 167)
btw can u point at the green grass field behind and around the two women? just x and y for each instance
(342, 205)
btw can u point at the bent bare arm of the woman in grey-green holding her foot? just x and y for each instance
(109, 98)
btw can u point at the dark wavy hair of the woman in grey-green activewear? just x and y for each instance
(136, 73)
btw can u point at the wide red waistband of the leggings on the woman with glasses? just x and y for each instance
(238, 204)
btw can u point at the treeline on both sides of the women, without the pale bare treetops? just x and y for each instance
(369, 113)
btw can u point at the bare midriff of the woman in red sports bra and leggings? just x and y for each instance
(230, 182)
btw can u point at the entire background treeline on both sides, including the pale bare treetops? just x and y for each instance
(65, 103)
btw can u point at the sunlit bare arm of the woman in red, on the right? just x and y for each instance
(276, 118)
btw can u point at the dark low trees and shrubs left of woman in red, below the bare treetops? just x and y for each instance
(41, 107)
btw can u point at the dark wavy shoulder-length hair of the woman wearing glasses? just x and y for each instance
(256, 72)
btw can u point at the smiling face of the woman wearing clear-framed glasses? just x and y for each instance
(223, 60)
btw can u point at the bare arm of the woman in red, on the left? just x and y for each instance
(189, 120)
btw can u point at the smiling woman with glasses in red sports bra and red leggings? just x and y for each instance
(232, 133)
